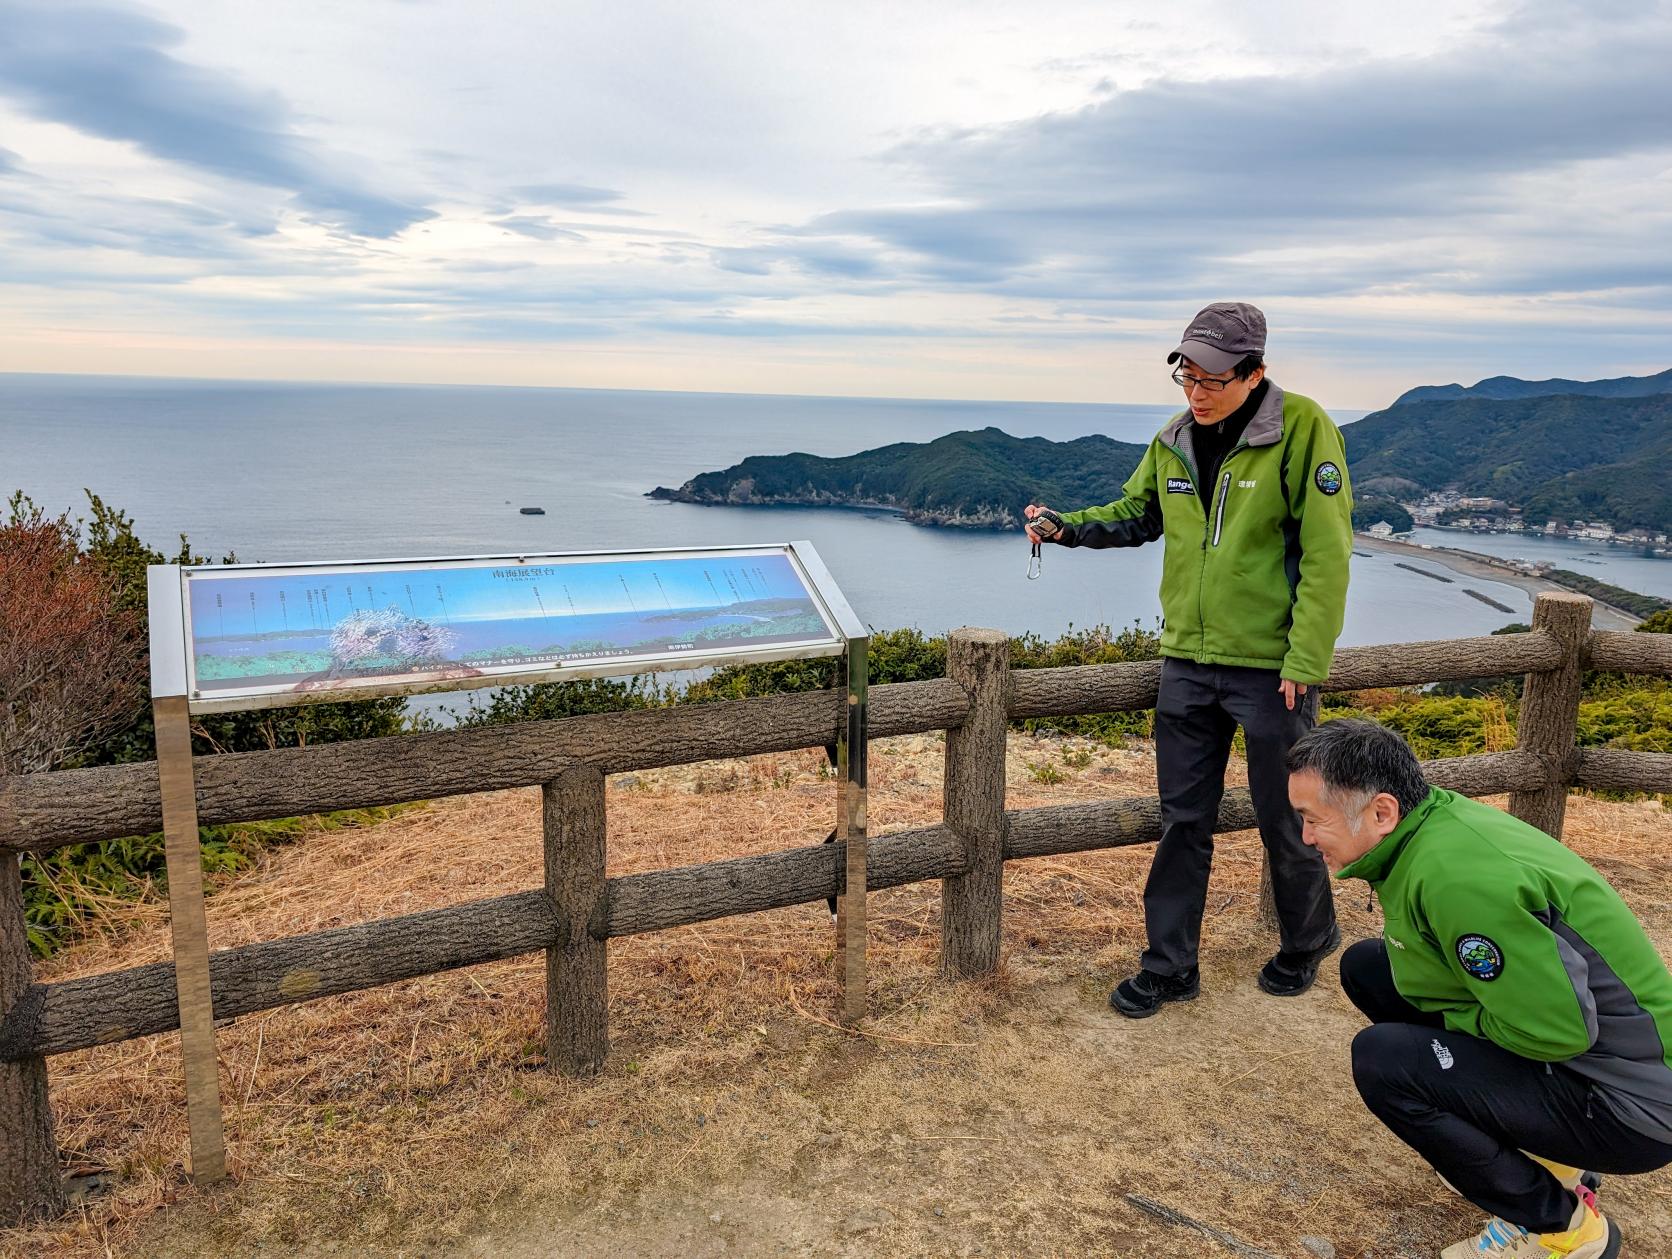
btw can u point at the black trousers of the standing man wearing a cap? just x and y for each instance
(1196, 716)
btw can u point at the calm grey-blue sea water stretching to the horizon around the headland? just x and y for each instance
(340, 472)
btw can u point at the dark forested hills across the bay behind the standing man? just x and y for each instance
(1559, 451)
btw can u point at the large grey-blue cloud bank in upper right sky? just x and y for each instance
(1178, 185)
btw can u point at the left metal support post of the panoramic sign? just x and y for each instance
(186, 877)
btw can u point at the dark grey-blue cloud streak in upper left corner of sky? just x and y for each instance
(110, 73)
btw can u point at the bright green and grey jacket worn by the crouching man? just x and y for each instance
(1517, 940)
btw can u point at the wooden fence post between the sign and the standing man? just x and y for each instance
(972, 904)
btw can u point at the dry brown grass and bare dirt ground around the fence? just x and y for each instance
(1006, 1118)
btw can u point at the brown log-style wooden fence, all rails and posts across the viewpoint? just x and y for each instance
(579, 910)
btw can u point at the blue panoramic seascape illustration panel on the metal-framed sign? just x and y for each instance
(350, 626)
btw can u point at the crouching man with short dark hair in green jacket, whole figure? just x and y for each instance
(1521, 1017)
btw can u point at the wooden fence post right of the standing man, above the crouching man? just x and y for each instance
(1549, 723)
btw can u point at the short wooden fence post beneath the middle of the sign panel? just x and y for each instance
(578, 1022)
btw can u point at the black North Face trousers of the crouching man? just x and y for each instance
(1471, 1108)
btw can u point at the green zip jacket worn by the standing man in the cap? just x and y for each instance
(1262, 579)
